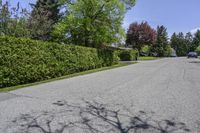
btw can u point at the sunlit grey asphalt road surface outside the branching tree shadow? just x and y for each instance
(168, 87)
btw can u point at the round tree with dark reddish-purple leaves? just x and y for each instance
(139, 35)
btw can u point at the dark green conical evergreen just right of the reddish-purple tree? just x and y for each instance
(161, 48)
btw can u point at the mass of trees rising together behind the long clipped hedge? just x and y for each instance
(81, 22)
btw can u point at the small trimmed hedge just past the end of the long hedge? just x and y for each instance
(128, 55)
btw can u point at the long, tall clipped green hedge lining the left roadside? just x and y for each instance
(26, 61)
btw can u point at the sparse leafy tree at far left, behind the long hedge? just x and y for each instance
(13, 20)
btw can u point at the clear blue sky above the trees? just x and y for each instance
(176, 15)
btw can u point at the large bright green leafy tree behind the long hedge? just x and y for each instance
(92, 22)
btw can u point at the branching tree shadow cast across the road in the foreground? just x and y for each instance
(93, 117)
